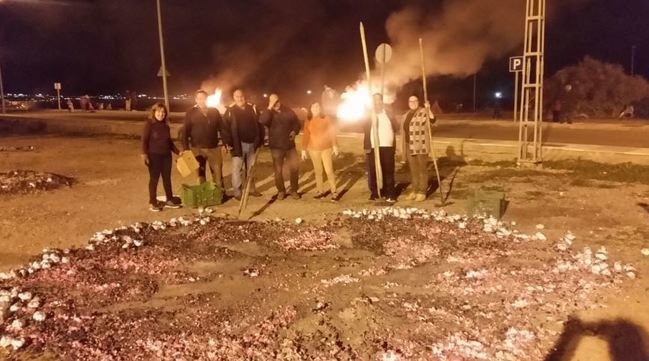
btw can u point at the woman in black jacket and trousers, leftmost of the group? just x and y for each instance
(157, 147)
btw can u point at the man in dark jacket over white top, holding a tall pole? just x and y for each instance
(387, 129)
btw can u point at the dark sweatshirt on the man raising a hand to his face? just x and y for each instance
(280, 125)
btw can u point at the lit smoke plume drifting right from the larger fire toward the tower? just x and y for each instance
(459, 36)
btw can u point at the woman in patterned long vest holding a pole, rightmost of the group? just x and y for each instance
(416, 146)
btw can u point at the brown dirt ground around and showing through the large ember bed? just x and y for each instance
(109, 191)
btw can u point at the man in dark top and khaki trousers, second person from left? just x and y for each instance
(201, 135)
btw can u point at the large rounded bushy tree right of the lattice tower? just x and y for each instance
(595, 89)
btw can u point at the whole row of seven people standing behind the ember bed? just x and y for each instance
(240, 130)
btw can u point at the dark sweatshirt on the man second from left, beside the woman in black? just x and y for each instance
(202, 131)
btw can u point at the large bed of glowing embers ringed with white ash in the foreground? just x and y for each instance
(381, 284)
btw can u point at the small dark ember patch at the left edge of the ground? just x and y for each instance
(26, 181)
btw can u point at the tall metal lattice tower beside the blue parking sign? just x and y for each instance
(531, 103)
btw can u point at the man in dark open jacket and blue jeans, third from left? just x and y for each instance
(242, 135)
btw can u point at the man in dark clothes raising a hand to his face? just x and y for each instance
(283, 126)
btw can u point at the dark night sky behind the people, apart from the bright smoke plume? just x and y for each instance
(109, 46)
